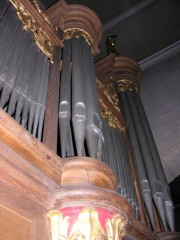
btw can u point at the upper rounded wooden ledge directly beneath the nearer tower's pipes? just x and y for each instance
(86, 171)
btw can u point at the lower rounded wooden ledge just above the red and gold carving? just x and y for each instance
(92, 196)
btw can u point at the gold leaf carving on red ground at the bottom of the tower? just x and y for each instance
(86, 223)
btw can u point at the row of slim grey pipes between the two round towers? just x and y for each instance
(115, 150)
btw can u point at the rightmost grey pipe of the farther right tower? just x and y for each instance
(157, 162)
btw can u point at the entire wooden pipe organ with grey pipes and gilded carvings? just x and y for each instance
(108, 181)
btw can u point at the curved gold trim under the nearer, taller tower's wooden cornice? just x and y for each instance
(77, 32)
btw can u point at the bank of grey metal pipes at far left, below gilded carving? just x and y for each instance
(23, 74)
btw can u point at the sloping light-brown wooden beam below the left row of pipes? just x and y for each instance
(29, 148)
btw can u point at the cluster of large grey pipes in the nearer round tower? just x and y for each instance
(78, 94)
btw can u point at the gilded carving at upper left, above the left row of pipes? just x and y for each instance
(30, 24)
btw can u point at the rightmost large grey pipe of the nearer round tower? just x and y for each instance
(93, 131)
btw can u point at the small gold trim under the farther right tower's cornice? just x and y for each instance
(126, 84)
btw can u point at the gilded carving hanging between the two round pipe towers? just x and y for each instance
(112, 117)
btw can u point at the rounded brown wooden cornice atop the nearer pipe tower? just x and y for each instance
(77, 20)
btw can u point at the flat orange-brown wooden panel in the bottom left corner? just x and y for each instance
(14, 226)
